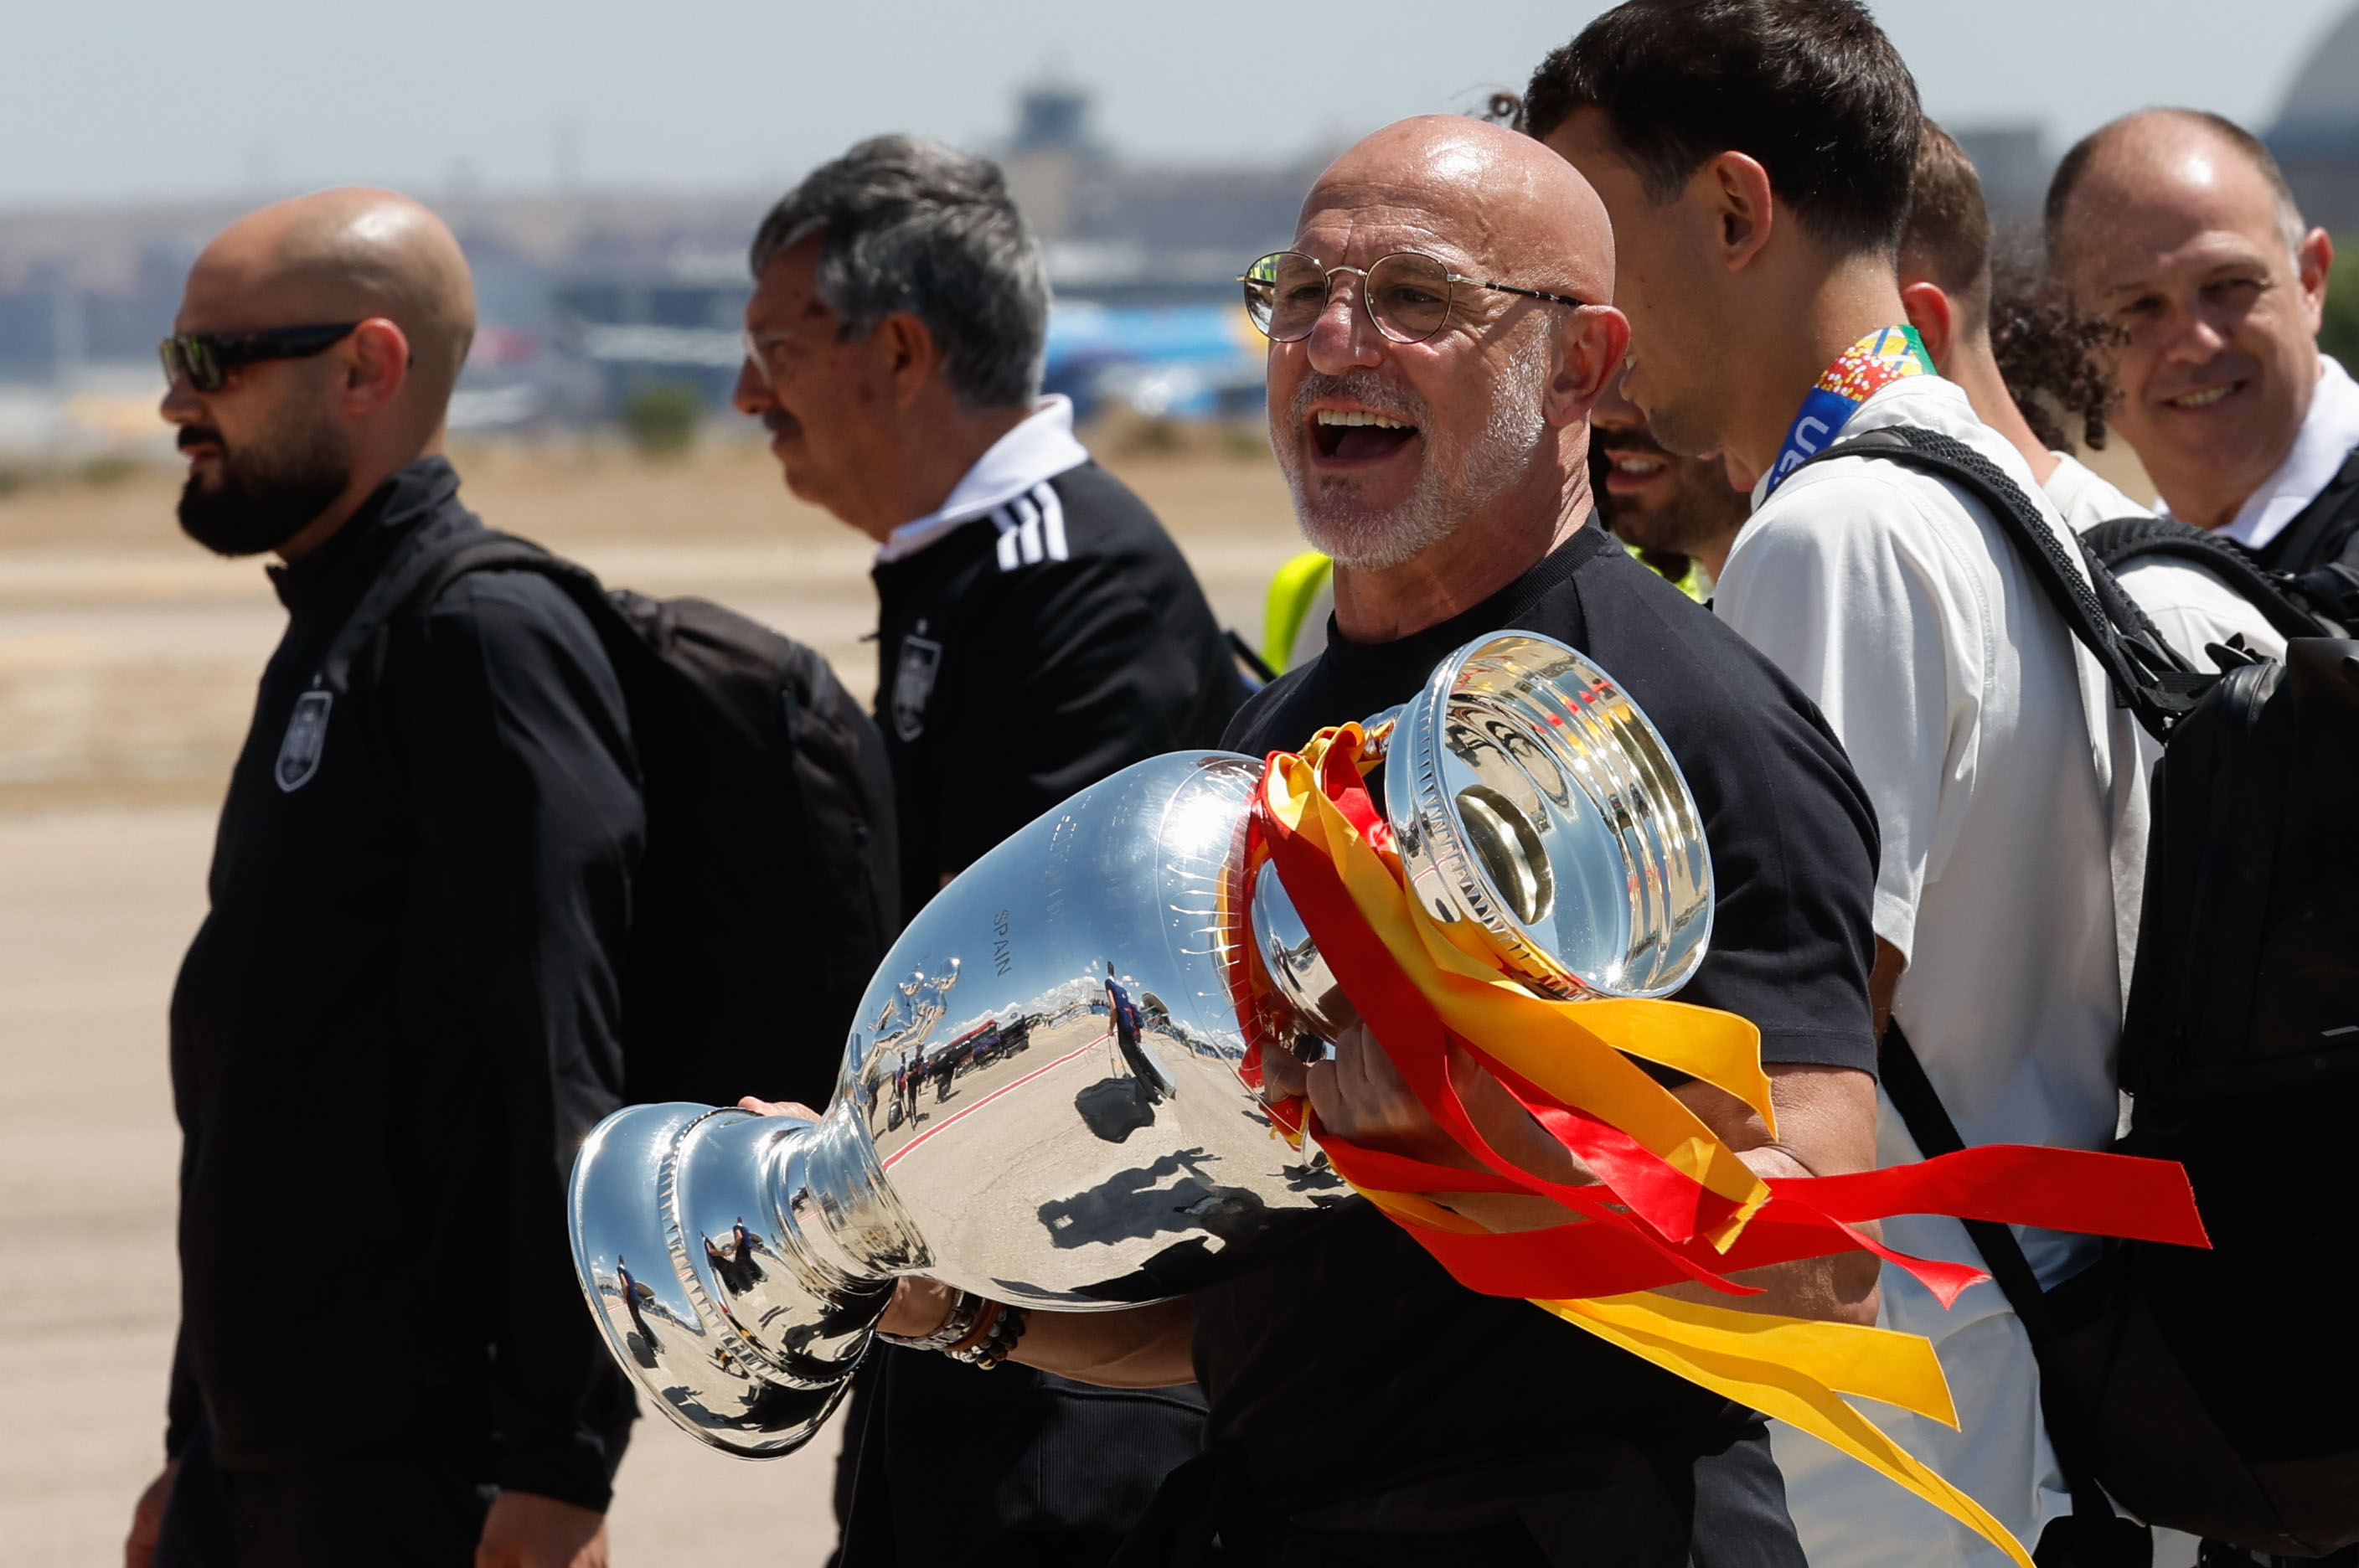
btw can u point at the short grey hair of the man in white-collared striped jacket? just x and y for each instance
(912, 225)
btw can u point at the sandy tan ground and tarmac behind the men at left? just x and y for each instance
(129, 664)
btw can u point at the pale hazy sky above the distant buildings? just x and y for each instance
(105, 100)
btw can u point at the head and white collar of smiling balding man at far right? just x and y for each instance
(2179, 228)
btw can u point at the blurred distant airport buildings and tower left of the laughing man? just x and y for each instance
(589, 298)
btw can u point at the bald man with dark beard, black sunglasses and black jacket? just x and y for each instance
(402, 1010)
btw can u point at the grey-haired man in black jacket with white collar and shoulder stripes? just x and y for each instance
(1037, 631)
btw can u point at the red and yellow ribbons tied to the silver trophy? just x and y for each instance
(1671, 1199)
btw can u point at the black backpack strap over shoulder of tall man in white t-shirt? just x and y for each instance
(2148, 678)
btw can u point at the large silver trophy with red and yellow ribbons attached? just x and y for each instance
(1174, 1022)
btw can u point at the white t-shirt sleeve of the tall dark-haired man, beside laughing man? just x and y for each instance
(1879, 624)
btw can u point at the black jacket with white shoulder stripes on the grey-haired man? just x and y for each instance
(1023, 659)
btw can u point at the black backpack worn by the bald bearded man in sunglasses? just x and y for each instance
(768, 890)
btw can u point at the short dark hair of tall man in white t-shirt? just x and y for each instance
(1811, 88)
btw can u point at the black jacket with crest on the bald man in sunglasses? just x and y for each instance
(397, 1025)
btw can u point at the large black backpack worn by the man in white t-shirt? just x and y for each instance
(2209, 1392)
